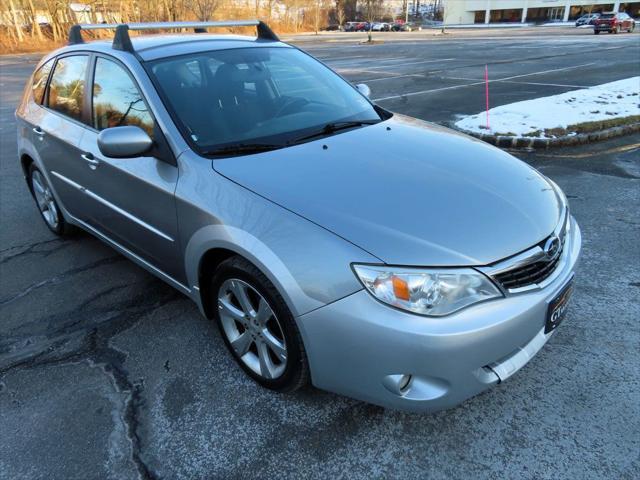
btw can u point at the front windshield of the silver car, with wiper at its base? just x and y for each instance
(266, 96)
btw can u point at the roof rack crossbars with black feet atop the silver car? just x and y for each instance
(122, 41)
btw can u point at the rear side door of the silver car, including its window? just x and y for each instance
(58, 129)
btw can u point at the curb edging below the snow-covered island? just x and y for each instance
(545, 143)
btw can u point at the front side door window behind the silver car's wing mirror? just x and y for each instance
(116, 99)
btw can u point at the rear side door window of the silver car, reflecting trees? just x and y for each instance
(66, 91)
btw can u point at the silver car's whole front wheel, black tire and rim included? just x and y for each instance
(255, 343)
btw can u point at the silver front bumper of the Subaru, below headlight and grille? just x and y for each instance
(361, 348)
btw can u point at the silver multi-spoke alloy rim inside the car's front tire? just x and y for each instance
(252, 328)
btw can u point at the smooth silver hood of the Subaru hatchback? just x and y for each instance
(408, 192)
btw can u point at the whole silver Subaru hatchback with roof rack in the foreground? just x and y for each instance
(333, 242)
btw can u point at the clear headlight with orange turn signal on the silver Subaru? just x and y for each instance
(433, 291)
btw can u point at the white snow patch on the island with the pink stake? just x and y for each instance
(531, 117)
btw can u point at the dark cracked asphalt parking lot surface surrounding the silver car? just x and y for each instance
(106, 372)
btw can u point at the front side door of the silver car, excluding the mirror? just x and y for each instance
(132, 199)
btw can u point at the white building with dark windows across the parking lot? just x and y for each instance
(460, 12)
